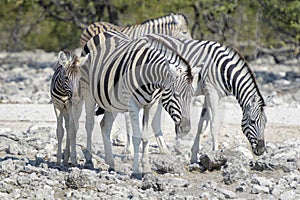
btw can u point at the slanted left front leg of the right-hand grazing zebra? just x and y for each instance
(203, 118)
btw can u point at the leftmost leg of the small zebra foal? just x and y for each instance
(59, 134)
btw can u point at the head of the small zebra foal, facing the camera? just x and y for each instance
(71, 64)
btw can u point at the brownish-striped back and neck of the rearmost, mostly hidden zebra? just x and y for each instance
(172, 24)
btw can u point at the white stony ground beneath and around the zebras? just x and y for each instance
(28, 144)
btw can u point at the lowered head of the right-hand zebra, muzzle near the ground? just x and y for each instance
(253, 124)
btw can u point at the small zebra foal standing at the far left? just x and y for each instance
(64, 92)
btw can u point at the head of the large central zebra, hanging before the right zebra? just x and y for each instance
(177, 101)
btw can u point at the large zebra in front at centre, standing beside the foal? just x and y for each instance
(128, 75)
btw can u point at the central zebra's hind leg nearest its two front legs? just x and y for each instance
(106, 126)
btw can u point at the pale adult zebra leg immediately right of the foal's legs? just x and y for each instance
(89, 126)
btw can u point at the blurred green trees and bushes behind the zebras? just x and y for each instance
(255, 28)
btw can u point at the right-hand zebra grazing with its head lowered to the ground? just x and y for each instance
(225, 73)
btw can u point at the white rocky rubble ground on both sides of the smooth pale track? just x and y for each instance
(27, 158)
